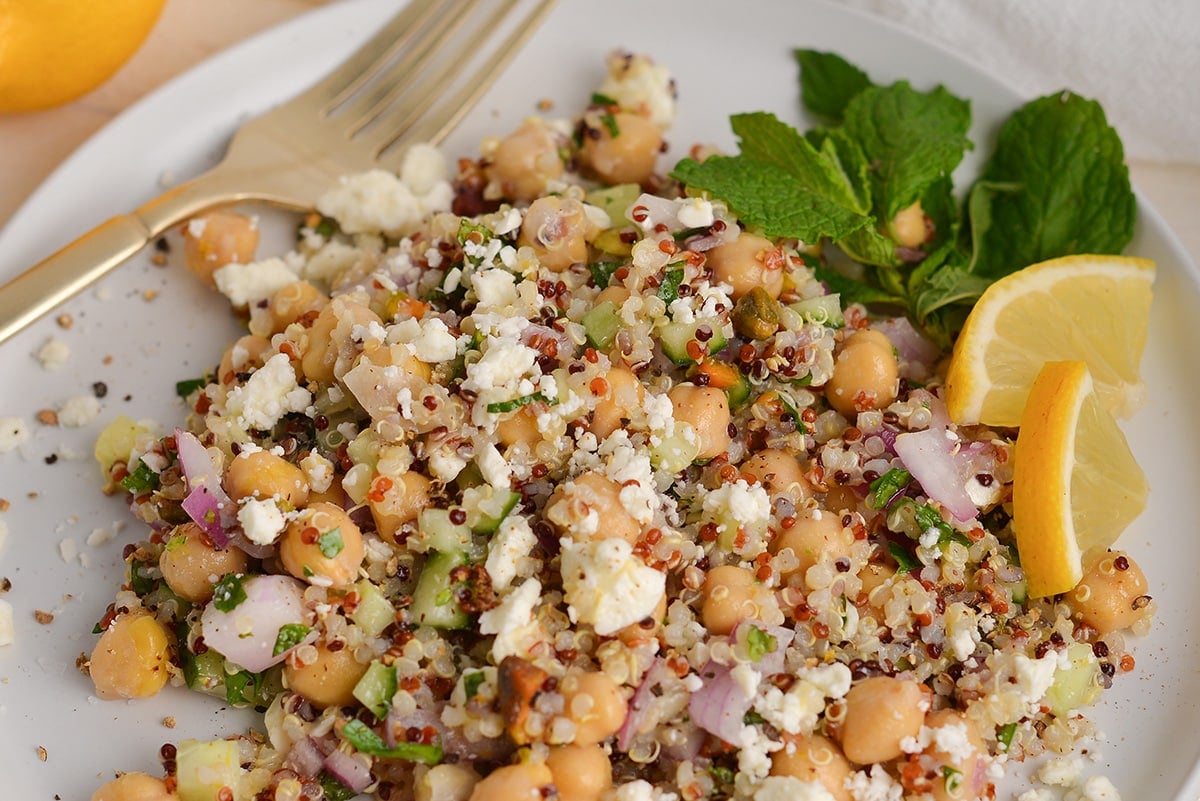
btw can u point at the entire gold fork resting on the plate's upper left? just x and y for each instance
(409, 85)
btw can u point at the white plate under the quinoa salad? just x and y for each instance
(728, 58)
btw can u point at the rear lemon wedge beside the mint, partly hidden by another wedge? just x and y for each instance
(1095, 309)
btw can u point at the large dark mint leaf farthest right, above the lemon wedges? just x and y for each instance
(1075, 194)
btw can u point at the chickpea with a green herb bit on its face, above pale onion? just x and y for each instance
(323, 546)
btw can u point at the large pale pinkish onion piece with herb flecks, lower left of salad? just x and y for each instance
(247, 635)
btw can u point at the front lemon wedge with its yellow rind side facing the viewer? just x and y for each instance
(1076, 483)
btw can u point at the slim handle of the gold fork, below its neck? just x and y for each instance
(38, 291)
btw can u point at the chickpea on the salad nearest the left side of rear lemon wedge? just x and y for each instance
(866, 375)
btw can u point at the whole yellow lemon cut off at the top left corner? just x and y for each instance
(55, 51)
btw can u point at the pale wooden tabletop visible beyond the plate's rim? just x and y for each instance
(191, 31)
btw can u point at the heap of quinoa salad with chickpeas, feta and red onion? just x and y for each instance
(542, 475)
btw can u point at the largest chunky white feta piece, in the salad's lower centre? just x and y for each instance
(608, 587)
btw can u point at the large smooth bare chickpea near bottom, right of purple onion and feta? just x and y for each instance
(880, 713)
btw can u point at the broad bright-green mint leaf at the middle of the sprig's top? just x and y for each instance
(911, 140)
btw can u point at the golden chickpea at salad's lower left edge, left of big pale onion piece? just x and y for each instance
(131, 659)
